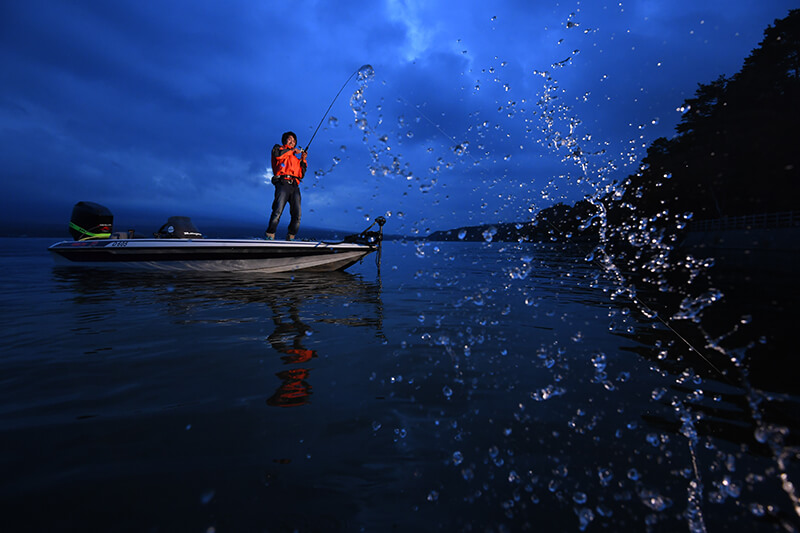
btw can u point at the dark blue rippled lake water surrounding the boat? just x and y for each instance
(463, 386)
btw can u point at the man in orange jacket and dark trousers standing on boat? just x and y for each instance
(288, 168)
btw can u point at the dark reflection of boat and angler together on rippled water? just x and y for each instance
(297, 305)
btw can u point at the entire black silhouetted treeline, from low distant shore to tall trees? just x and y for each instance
(735, 152)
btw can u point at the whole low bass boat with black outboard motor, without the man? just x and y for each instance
(179, 246)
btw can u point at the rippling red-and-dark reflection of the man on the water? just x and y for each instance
(294, 389)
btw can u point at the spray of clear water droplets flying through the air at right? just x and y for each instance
(555, 125)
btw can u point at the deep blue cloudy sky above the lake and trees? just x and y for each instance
(171, 108)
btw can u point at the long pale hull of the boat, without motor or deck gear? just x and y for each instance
(209, 255)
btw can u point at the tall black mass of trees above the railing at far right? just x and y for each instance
(736, 149)
